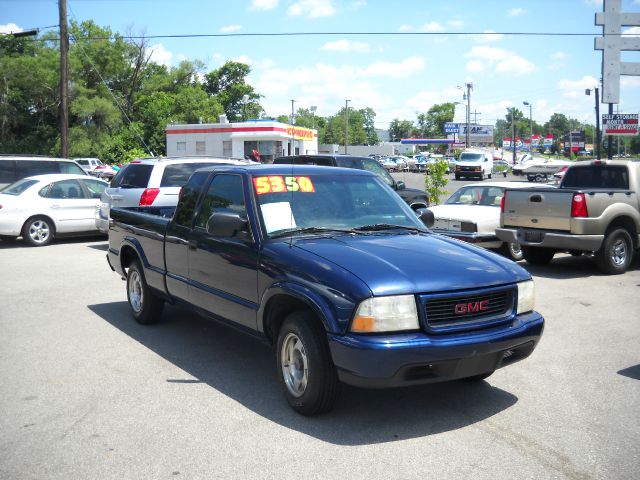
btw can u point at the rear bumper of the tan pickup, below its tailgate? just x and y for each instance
(551, 239)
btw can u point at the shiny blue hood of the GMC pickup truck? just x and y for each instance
(413, 263)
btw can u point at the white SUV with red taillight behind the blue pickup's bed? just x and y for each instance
(152, 182)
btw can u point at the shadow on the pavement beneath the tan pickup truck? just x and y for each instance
(567, 267)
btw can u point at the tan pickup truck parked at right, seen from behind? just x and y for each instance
(595, 210)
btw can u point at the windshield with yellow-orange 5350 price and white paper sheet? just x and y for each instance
(317, 203)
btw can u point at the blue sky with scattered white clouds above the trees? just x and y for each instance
(396, 75)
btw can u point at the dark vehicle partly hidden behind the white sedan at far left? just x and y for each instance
(16, 167)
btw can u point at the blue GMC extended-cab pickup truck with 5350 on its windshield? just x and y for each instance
(334, 270)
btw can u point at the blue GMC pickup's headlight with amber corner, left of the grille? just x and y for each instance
(386, 314)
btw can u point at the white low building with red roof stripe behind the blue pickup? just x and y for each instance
(241, 139)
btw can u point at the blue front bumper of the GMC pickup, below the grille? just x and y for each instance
(381, 361)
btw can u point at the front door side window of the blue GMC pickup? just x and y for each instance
(225, 194)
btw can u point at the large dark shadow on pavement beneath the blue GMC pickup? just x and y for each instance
(244, 369)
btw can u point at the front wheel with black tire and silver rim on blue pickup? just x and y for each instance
(305, 370)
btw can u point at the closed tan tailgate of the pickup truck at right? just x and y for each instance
(548, 209)
